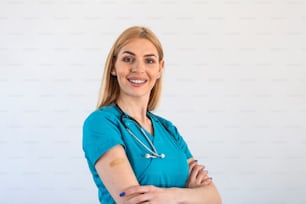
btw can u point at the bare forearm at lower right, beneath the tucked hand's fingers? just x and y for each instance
(206, 194)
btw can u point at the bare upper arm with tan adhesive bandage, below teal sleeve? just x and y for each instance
(116, 172)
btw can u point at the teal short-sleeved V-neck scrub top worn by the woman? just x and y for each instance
(103, 129)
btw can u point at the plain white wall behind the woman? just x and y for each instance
(235, 85)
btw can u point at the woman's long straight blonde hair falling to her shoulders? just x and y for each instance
(109, 91)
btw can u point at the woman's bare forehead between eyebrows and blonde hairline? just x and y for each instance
(139, 46)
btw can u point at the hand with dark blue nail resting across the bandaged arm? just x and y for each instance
(149, 195)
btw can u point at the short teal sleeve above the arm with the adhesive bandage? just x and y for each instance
(100, 133)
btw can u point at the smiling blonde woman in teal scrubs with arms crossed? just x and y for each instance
(134, 155)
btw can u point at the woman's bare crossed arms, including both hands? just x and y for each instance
(126, 189)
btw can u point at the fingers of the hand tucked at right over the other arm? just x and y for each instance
(198, 176)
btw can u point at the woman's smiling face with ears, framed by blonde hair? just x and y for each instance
(137, 68)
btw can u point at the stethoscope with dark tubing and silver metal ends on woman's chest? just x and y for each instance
(152, 151)
